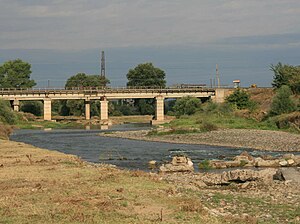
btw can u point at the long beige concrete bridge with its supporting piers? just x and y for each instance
(106, 94)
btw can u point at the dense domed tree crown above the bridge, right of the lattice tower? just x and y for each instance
(146, 75)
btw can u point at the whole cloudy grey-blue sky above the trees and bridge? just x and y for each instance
(186, 38)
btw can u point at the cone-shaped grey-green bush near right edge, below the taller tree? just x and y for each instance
(282, 101)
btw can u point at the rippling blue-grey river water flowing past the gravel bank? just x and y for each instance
(129, 154)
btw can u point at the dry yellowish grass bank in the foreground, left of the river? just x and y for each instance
(58, 188)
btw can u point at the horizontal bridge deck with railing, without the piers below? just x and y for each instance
(96, 93)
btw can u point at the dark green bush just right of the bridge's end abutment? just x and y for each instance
(240, 99)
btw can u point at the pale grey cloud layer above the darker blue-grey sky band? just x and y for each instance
(79, 24)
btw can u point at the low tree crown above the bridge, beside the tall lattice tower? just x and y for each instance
(83, 80)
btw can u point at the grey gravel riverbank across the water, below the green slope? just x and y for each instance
(241, 138)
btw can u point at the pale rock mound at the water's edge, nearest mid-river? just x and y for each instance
(178, 164)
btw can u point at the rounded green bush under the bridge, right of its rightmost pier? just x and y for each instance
(186, 106)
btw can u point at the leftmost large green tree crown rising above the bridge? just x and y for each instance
(16, 74)
